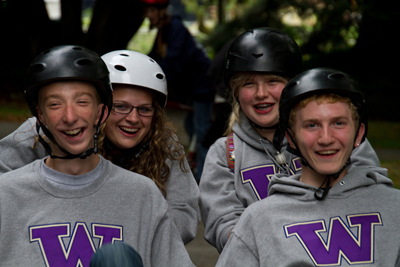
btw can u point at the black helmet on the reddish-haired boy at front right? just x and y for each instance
(321, 81)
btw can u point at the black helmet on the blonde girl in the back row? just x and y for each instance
(263, 50)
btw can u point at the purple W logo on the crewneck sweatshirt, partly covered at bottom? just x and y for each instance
(80, 247)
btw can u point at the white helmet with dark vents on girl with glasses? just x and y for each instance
(134, 68)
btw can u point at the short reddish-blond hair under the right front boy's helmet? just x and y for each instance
(322, 98)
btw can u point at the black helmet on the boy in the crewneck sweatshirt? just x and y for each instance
(67, 62)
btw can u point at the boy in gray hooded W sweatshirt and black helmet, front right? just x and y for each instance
(327, 215)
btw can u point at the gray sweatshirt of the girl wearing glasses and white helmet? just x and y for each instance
(182, 190)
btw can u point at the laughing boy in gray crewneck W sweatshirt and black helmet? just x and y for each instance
(59, 210)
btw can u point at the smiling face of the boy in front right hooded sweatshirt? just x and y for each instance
(326, 135)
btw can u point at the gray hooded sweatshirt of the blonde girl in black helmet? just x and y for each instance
(225, 195)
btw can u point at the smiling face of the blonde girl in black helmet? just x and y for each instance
(259, 96)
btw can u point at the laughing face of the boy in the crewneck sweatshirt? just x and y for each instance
(70, 110)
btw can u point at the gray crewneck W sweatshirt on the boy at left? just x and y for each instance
(45, 225)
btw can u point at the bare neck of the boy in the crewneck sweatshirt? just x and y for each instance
(74, 166)
